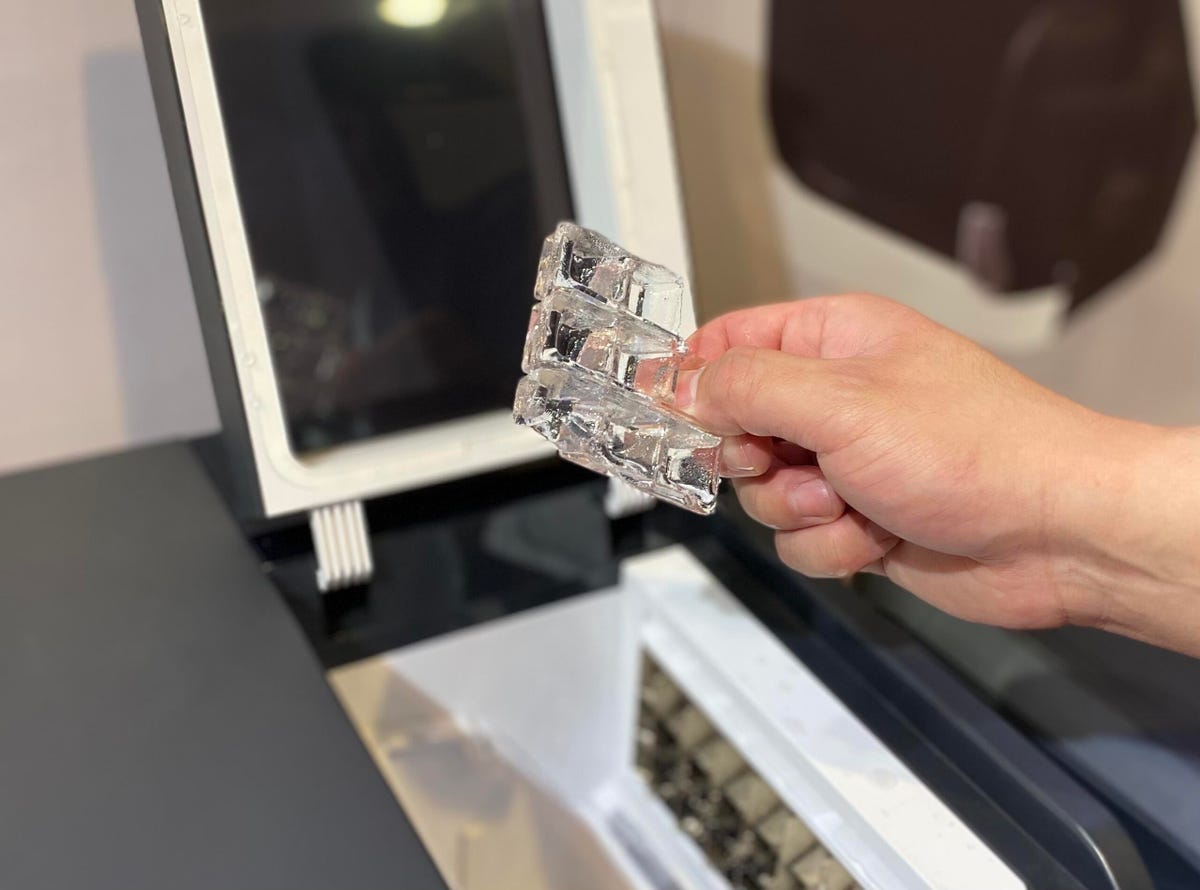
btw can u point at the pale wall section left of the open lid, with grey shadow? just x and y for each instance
(99, 341)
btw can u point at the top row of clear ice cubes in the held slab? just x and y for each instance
(584, 261)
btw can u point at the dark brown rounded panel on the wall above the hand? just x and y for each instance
(1035, 141)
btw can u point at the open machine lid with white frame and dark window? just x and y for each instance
(368, 194)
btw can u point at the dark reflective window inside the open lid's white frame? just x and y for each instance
(395, 184)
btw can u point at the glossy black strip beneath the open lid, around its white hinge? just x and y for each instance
(452, 557)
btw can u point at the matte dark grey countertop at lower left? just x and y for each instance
(163, 721)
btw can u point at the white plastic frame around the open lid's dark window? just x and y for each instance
(609, 79)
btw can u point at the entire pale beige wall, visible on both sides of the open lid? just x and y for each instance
(99, 346)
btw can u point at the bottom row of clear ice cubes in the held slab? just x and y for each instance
(623, 435)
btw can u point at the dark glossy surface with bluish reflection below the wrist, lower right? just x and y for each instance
(1121, 715)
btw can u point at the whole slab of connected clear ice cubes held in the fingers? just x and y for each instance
(603, 358)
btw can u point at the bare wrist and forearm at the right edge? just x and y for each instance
(1132, 566)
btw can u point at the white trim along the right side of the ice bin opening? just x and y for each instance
(861, 801)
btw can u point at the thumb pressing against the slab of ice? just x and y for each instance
(764, 393)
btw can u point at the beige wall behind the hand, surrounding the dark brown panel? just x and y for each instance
(759, 237)
